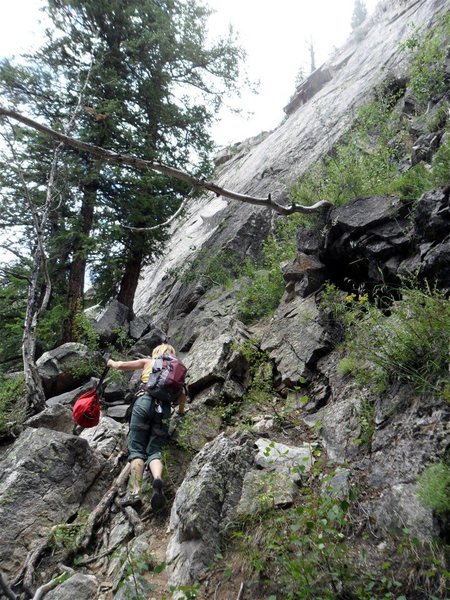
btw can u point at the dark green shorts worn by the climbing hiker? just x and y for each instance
(149, 429)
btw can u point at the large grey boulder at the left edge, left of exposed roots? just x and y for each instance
(43, 480)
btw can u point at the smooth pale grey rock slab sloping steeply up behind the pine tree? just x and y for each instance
(271, 164)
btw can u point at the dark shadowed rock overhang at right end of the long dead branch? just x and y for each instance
(375, 239)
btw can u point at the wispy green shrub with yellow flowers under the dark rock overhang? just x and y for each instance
(407, 343)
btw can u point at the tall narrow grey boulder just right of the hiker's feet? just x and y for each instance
(205, 504)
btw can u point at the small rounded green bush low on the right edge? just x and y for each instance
(434, 487)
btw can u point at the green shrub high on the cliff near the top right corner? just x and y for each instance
(427, 72)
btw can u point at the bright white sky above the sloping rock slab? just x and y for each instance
(275, 34)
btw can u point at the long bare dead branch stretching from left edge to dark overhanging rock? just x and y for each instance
(142, 164)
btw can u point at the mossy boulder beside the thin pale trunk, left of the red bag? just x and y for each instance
(64, 368)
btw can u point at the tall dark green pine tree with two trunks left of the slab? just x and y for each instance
(151, 88)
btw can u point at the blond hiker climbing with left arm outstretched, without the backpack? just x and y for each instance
(149, 428)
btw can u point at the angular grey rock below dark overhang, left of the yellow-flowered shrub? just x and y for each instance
(295, 339)
